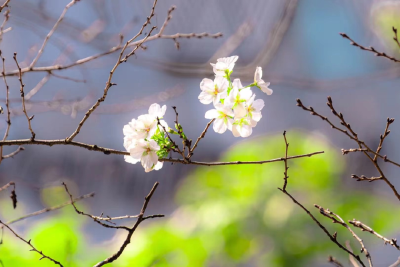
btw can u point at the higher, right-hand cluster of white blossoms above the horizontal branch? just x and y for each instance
(235, 107)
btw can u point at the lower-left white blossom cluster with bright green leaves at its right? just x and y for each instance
(145, 139)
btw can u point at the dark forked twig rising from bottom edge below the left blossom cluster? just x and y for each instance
(140, 219)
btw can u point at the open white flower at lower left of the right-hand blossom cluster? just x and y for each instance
(223, 118)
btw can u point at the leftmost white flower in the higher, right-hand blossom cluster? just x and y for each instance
(213, 91)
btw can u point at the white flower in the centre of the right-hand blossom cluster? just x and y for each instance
(237, 99)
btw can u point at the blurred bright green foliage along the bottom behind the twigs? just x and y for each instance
(230, 215)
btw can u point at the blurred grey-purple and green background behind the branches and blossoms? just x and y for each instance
(221, 216)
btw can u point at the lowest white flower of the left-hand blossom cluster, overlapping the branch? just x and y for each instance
(146, 152)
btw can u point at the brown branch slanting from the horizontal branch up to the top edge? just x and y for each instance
(119, 61)
